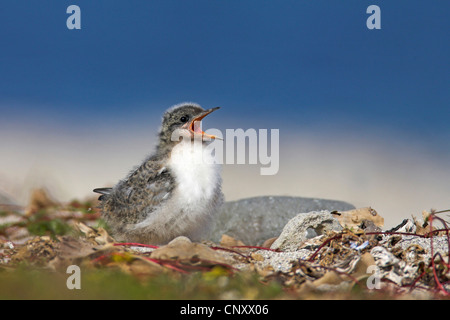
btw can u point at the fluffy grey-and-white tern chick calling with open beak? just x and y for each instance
(147, 206)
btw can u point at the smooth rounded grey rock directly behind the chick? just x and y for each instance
(254, 220)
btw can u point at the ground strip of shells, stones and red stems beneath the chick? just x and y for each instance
(313, 257)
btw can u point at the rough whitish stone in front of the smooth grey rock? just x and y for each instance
(303, 227)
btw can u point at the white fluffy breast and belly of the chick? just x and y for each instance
(190, 206)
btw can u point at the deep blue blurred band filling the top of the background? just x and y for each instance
(286, 63)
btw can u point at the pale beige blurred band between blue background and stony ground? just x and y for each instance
(396, 180)
